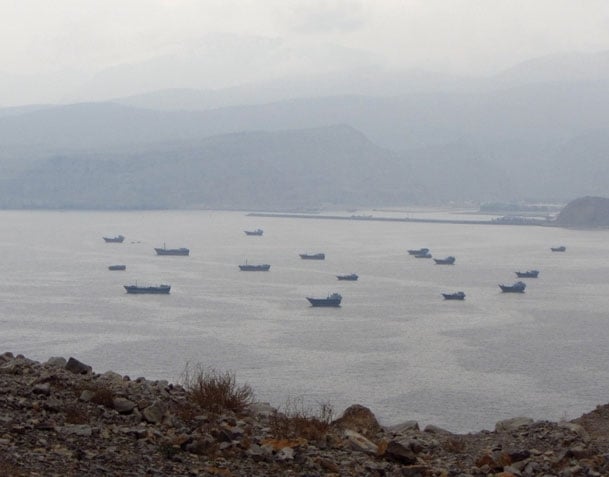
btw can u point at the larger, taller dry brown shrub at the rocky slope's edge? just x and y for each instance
(215, 391)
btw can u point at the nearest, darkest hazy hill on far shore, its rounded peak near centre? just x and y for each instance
(258, 170)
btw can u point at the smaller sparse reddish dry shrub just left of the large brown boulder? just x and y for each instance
(298, 420)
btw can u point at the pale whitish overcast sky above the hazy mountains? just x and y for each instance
(82, 37)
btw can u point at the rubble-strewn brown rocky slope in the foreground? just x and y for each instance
(59, 418)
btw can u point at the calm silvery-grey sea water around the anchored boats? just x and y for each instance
(394, 346)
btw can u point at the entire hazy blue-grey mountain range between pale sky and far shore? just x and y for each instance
(515, 136)
